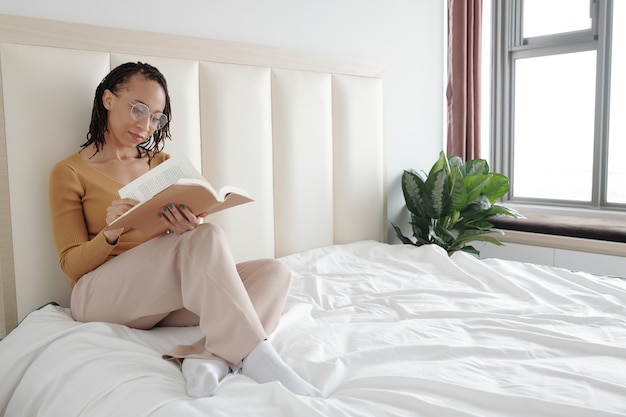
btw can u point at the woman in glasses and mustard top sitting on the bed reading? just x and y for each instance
(185, 277)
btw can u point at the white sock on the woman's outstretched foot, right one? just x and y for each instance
(263, 364)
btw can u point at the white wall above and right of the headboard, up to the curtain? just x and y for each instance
(406, 35)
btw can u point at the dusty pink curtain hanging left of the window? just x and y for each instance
(463, 90)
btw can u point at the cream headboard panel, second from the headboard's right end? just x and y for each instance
(302, 130)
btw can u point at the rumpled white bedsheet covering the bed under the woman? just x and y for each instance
(382, 330)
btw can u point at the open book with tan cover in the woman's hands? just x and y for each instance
(174, 181)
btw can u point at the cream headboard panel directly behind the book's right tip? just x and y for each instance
(237, 134)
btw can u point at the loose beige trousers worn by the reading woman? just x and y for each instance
(183, 280)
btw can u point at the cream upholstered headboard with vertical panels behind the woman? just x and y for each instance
(303, 133)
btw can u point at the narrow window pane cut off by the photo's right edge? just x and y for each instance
(616, 187)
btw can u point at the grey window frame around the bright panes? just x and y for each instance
(508, 45)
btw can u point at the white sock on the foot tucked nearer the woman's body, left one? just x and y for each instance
(203, 376)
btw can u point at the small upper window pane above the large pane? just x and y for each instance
(547, 17)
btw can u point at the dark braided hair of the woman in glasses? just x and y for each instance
(113, 81)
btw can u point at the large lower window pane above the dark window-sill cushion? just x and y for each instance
(554, 126)
